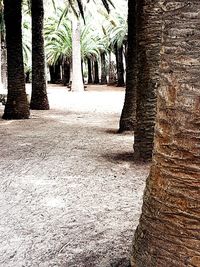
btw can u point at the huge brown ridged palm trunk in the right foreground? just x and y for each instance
(169, 230)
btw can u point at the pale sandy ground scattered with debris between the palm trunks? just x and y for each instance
(70, 192)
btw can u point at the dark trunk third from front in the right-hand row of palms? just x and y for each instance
(128, 116)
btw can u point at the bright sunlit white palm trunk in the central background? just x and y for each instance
(77, 78)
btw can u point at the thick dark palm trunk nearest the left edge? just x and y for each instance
(17, 104)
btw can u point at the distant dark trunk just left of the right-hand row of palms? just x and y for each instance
(120, 66)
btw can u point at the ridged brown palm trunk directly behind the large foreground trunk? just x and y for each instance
(149, 42)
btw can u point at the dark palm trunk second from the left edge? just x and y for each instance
(39, 98)
